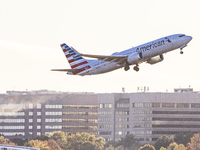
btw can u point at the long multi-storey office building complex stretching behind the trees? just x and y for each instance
(111, 116)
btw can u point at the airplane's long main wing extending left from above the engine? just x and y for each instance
(110, 58)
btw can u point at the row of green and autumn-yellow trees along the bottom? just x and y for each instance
(60, 140)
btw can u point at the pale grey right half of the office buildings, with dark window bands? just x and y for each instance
(148, 115)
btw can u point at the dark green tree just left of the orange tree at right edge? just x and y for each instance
(183, 137)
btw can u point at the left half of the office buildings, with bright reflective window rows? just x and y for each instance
(29, 115)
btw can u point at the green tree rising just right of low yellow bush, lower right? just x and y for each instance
(163, 141)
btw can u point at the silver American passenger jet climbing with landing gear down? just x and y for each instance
(151, 52)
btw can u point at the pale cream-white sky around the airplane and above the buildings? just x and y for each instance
(31, 32)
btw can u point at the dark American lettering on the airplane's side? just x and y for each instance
(150, 46)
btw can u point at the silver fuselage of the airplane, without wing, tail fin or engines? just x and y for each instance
(147, 51)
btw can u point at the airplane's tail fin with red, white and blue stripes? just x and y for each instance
(75, 60)
